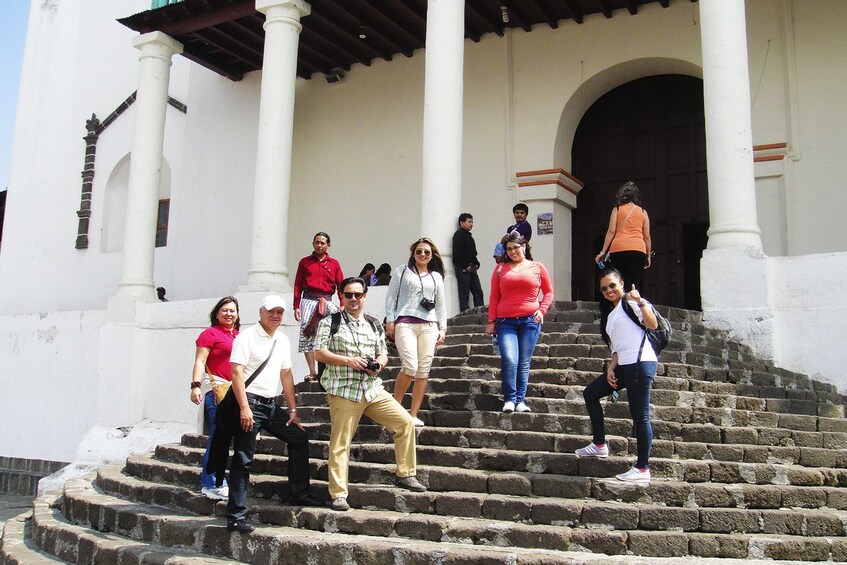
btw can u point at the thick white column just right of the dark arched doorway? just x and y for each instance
(729, 139)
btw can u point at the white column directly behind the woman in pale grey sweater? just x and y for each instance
(442, 128)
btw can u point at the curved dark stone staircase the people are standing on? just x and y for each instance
(749, 463)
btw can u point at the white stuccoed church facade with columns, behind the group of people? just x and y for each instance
(253, 168)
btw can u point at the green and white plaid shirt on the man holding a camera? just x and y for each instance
(355, 338)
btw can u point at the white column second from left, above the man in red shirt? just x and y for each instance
(268, 261)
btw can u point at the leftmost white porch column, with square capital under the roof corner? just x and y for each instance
(145, 168)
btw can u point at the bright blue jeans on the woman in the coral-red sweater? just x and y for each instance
(516, 338)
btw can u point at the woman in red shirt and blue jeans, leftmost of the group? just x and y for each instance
(214, 345)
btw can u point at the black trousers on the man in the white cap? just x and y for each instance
(271, 419)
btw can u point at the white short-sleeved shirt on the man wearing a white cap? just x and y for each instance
(251, 347)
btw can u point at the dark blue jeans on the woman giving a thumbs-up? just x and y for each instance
(637, 379)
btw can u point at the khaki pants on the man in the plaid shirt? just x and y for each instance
(345, 415)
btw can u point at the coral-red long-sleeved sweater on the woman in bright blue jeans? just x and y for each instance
(514, 295)
